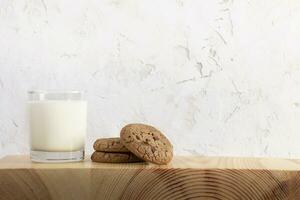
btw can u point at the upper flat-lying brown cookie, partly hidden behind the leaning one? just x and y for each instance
(109, 145)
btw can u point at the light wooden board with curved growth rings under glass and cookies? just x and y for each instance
(184, 178)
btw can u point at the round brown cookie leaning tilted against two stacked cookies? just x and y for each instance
(147, 143)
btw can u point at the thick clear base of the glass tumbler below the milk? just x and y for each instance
(56, 157)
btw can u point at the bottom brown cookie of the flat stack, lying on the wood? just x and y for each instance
(106, 157)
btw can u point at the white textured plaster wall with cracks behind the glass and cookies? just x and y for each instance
(218, 77)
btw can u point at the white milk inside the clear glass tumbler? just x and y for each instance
(57, 126)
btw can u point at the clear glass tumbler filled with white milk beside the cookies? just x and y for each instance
(57, 125)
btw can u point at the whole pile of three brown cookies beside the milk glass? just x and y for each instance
(137, 143)
